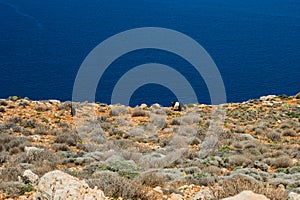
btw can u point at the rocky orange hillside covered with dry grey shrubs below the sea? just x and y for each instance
(63, 150)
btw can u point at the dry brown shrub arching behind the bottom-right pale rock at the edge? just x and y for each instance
(237, 184)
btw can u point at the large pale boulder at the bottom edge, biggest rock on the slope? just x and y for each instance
(60, 185)
